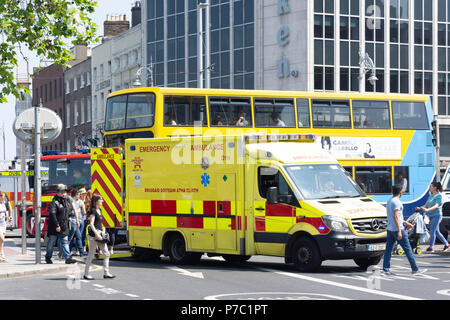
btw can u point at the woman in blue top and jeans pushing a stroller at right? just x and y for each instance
(433, 209)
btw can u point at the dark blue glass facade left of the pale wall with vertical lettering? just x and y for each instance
(171, 42)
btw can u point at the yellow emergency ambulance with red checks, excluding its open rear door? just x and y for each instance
(238, 196)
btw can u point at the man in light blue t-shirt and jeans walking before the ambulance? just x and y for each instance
(396, 233)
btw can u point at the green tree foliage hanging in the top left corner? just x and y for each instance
(47, 28)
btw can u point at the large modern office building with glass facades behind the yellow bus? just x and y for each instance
(309, 45)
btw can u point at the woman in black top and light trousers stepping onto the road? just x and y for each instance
(94, 219)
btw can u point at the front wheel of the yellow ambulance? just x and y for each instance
(306, 255)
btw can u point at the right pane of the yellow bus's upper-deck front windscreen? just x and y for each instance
(140, 110)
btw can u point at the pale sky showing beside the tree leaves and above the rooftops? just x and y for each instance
(104, 7)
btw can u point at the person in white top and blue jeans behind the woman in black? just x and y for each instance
(77, 223)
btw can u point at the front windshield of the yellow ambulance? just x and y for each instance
(323, 181)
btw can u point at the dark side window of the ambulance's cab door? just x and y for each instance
(271, 177)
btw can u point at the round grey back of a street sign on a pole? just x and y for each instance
(49, 122)
